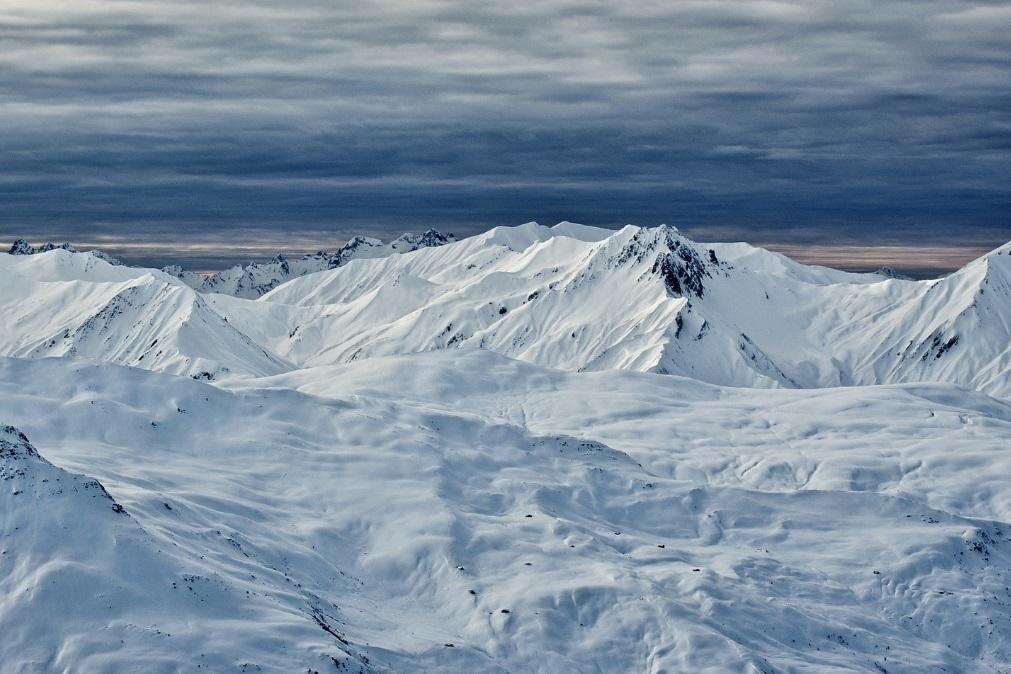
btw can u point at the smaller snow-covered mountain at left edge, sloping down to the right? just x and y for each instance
(62, 304)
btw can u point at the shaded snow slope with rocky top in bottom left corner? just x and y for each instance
(86, 589)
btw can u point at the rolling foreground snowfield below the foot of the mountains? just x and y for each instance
(425, 520)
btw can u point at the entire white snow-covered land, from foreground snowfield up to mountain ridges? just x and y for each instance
(326, 479)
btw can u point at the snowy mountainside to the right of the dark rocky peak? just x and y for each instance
(805, 328)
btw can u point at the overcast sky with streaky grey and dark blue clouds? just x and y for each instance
(220, 124)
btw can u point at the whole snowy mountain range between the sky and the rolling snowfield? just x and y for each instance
(572, 298)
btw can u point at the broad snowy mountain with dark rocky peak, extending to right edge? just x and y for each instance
(652, 301)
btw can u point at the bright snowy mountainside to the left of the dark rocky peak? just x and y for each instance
(523, 292)
